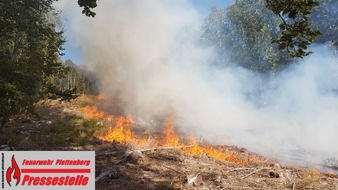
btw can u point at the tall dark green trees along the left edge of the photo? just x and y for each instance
(30, 47)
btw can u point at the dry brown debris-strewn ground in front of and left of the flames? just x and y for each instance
(121, 166)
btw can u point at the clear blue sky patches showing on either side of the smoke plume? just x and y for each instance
(73, 52)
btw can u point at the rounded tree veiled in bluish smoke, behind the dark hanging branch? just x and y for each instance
(243, 33)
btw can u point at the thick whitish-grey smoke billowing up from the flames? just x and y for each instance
(147, 53)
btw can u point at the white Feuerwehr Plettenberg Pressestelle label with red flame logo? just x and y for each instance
(48, 170)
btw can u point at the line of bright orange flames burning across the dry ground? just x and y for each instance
(120, 131)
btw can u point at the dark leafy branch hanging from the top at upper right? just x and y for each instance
(296, 31)
